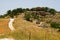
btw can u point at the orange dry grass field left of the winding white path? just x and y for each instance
(4, 26)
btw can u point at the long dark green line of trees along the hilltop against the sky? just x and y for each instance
(16, 12)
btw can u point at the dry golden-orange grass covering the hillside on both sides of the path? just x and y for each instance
(26, 30)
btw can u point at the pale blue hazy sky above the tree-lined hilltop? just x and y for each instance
(13, 4)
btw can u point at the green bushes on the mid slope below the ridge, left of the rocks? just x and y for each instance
(30, 17)
